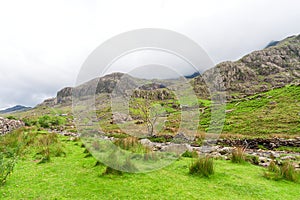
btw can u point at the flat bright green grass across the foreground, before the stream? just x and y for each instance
(76, 177)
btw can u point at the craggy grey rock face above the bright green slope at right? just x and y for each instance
(259, 71)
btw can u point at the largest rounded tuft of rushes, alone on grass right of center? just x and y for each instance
(202, 166)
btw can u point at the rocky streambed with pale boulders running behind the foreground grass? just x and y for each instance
(223, 148)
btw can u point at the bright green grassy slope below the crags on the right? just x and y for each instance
(272, 113)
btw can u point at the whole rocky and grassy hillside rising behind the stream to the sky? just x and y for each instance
(262, 91)
